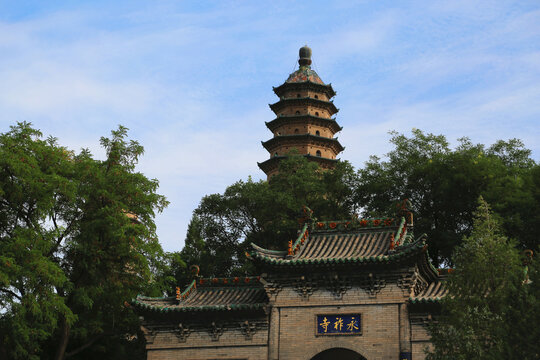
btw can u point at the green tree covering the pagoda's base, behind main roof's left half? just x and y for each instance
(264, 213)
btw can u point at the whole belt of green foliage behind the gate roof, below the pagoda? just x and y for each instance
(443, 185)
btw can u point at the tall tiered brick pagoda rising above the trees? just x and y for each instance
(303, 122)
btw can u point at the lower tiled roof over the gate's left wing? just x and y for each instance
(210, 295)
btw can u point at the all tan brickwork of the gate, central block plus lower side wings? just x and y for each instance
(291, 330)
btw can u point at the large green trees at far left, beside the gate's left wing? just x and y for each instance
(77, 240)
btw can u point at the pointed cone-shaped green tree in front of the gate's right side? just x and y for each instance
(492, 307)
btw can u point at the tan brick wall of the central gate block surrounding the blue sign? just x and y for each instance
(380, 337)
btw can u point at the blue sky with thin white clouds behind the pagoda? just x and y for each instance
(192, 80)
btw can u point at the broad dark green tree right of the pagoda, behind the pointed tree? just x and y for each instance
(443, 185)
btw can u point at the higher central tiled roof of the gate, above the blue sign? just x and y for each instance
(363, 241)
